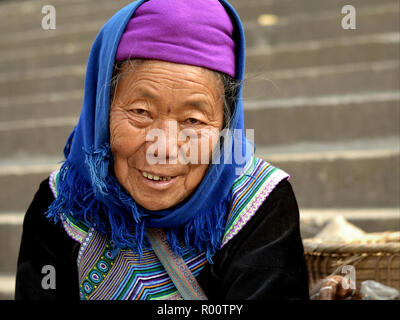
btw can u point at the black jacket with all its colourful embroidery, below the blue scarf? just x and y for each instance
(261, 255)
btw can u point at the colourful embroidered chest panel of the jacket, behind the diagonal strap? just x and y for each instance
(108, 273)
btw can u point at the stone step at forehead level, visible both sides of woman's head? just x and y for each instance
(327, 80)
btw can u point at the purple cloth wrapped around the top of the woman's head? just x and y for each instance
(194, 32)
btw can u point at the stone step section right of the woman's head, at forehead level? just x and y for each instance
(353, 78)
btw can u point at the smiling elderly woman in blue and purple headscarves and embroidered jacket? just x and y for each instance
(153, 201)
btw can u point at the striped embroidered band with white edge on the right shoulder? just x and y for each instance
(249, 192)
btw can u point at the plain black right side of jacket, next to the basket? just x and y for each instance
(264, 259)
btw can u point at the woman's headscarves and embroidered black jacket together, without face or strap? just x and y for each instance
(238, 232)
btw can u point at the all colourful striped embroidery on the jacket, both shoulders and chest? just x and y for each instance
(106, 272)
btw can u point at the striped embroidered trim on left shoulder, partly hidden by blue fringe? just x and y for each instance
(76, 230)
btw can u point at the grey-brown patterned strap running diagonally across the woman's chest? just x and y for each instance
(177, 269)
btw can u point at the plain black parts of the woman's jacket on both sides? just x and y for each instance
(263, 261)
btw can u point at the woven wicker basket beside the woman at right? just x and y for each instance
(377, 257)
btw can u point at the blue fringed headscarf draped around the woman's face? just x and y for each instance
(88, 189)
